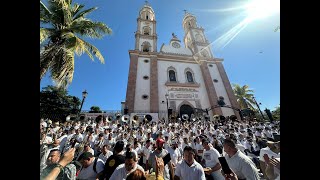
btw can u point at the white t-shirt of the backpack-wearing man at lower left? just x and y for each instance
(88, 173)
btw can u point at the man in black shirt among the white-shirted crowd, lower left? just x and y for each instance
(114, 160)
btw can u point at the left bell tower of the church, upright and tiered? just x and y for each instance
(146, 37)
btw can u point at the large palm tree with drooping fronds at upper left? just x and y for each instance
(64, 25)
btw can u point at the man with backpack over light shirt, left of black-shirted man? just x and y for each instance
(88, 171)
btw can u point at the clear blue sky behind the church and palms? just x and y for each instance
(251, 58)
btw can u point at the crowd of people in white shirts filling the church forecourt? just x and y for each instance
(115, 150)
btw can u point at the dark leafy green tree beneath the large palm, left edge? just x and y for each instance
(56, 104)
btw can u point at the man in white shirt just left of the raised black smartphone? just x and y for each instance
(210, 160)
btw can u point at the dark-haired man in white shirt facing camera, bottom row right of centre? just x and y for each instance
(188, 168)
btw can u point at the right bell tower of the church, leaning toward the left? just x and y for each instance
(194, 37)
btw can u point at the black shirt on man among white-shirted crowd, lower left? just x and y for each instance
(111, 164)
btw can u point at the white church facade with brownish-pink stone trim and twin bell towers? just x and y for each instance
(182, 76)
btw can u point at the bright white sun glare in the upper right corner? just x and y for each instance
(258, 9)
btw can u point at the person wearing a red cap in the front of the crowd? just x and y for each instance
(159, 152)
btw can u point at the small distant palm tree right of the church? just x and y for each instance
(244, 96)
